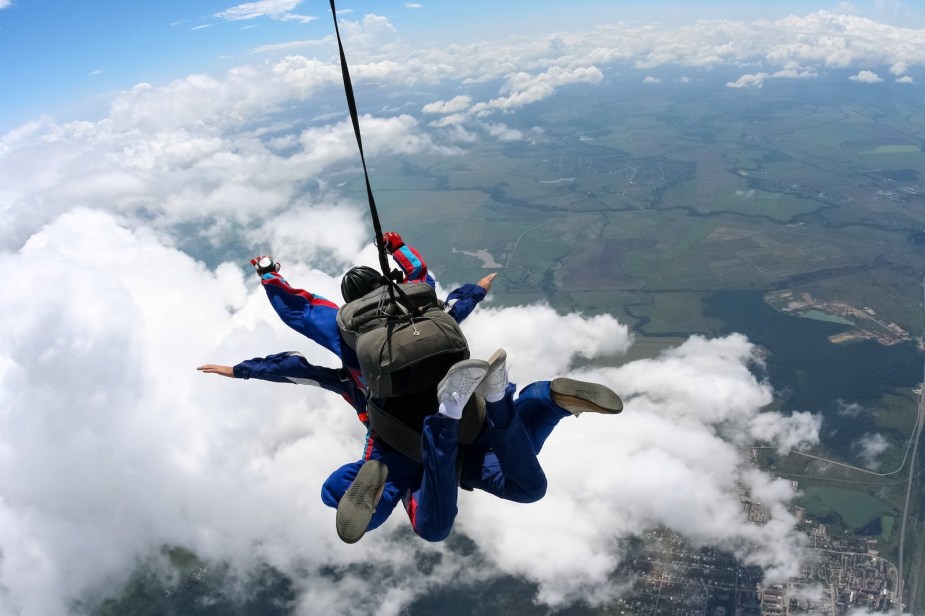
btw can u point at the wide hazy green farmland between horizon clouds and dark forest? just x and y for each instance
(675, 198)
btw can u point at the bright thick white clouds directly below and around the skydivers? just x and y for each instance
(113, 445)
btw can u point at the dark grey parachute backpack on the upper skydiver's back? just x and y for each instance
(404, 345)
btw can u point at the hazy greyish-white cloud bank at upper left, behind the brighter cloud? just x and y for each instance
(196, 160)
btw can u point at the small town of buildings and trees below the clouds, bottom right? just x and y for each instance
(838, 576)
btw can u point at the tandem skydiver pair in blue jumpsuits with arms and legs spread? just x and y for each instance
(420, 446)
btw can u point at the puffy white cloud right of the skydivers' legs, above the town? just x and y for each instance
(669, 458)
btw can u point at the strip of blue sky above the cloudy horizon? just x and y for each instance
(66, 58)
